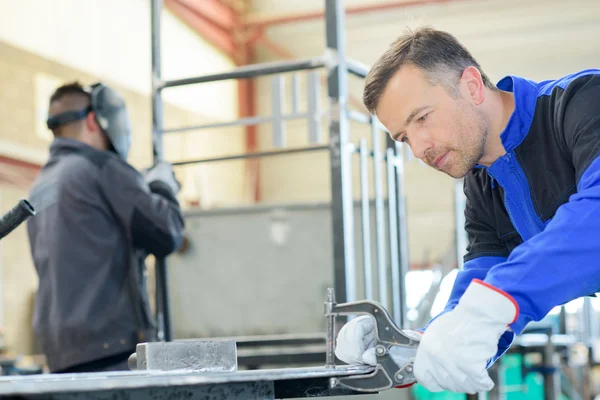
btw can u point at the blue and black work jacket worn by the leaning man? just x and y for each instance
(533, 216)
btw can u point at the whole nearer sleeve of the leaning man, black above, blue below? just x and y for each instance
(561, 263)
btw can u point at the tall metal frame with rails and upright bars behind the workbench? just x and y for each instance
(390, 233)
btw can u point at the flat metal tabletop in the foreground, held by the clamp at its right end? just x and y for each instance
(248, 384)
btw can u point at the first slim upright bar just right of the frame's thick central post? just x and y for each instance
(366, 218)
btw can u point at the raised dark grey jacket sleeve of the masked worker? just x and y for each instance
(151, 215)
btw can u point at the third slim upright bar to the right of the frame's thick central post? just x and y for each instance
(393, 232)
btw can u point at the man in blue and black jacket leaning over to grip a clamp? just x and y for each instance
(528, 152)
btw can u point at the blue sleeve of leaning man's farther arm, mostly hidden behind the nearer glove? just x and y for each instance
(476, 268)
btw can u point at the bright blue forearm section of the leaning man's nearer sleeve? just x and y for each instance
(561, 263)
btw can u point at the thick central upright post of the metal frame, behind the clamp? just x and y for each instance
(341, 172)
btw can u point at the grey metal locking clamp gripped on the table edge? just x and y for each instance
(387, 373)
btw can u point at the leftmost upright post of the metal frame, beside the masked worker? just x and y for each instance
(163, 317)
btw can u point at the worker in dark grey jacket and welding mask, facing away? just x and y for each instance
(97, 220)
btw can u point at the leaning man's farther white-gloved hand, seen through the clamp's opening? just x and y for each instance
(356, 343)
